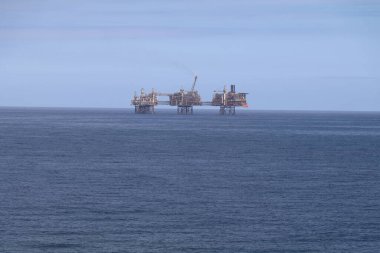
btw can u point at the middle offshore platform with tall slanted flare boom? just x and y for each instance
(185, 100)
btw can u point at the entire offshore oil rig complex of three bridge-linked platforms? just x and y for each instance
(186, 100)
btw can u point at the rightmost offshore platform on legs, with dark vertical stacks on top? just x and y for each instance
(227, 101)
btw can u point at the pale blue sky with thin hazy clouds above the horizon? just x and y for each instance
(287, 54)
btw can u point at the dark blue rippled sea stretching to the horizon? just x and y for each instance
(97, 180)
